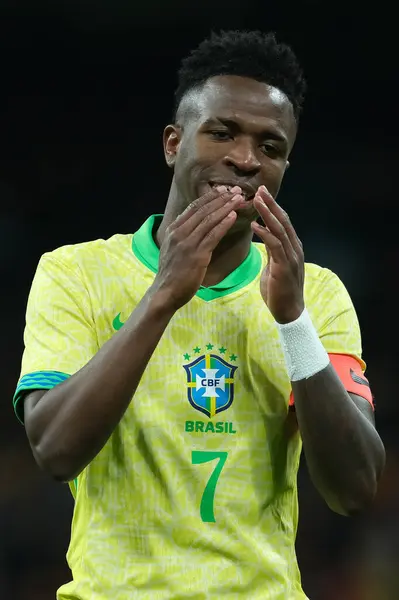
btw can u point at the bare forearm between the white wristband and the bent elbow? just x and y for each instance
(344, 452)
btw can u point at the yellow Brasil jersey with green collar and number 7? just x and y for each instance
(195, 493)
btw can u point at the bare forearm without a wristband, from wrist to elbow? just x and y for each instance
(72, 422)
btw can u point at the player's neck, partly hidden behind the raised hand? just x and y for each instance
(228, 254)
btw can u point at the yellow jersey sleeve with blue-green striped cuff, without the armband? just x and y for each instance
(59, 337)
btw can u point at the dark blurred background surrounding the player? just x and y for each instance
(85, 91)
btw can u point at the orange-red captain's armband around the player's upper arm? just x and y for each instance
(350, 373)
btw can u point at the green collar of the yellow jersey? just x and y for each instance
(146, 250)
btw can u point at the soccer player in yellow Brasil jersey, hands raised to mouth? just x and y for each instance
(171, 376)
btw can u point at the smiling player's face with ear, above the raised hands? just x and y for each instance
(234, 131)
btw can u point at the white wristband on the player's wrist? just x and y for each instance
(304, 353)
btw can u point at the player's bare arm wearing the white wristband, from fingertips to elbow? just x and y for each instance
(343, 450)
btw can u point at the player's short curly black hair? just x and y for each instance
(252, 54)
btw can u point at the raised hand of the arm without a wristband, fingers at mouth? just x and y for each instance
(189, 242)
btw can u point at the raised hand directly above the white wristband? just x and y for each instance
(282, 281)
